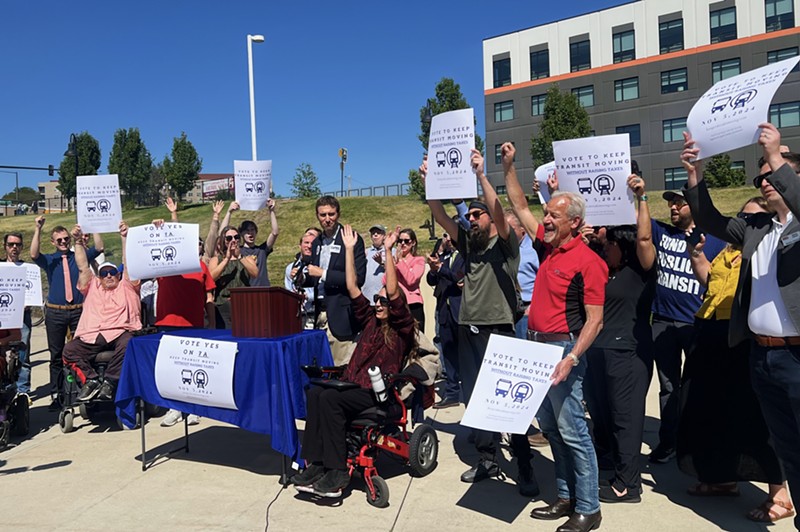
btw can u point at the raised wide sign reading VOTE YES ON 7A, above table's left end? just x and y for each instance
(168, 250)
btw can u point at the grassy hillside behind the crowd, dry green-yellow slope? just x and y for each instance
(294, 216)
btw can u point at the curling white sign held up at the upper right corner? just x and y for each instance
(727, 116)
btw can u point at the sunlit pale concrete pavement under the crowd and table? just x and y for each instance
(91, 479)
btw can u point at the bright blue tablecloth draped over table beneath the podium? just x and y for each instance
(268, 382)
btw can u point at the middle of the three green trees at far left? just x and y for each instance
(131, 160)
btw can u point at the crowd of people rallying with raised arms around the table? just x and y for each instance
(715, 291)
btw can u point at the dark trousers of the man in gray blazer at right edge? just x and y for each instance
(775, 372)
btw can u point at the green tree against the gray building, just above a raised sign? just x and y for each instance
(563, 118)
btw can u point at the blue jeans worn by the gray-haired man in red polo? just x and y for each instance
(561, 418)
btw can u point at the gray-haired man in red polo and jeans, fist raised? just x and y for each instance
(567, 311)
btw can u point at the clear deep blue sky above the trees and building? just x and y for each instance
(330, 74)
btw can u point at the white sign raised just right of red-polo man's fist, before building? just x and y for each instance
(597, 168)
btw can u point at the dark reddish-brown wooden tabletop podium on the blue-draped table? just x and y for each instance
(265, 312)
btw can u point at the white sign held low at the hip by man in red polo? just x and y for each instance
(512, 383)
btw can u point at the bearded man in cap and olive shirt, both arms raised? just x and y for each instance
(491, 254)
